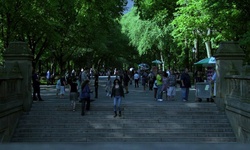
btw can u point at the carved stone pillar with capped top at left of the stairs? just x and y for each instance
(19, 52)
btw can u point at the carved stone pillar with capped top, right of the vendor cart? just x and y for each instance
(229, 55)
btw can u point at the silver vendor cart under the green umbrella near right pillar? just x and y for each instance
(203, 90)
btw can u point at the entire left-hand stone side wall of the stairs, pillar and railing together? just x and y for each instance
(15, 87)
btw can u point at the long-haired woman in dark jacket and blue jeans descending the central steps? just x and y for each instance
(117, 93)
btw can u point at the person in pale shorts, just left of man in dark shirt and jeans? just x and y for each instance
(171, 81)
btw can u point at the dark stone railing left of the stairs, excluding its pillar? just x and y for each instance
(11, 103)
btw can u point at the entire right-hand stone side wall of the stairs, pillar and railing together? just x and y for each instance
(233, 88)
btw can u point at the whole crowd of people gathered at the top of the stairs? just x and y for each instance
(161, 82)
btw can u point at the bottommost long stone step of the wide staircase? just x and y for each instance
(125, 139)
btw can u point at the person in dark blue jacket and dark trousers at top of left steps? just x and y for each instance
(85, 96)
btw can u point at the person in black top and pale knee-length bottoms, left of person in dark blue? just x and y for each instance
(73, 96)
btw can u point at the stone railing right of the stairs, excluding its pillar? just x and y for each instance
(238, 104)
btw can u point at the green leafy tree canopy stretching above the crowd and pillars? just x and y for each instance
(72, 34)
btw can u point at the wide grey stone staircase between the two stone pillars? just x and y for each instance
(143, 120)
